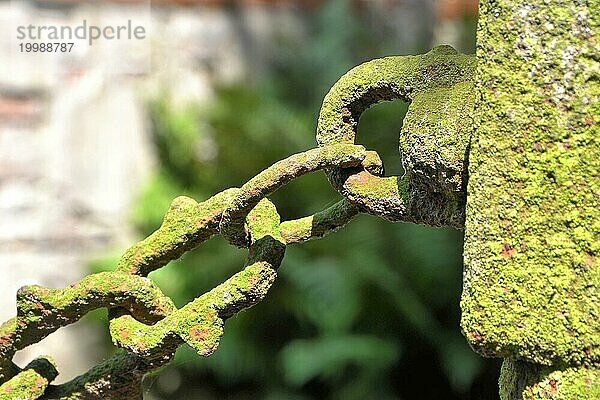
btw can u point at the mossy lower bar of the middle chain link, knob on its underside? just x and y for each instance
(200, 322)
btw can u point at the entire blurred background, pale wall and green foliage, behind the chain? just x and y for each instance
(90, 156)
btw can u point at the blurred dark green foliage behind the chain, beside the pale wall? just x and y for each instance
(370, 312)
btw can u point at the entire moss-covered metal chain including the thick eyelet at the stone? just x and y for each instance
(146, 324)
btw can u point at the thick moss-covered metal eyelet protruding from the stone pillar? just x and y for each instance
(434, 138)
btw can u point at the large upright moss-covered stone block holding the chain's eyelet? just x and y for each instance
(532, 235)
